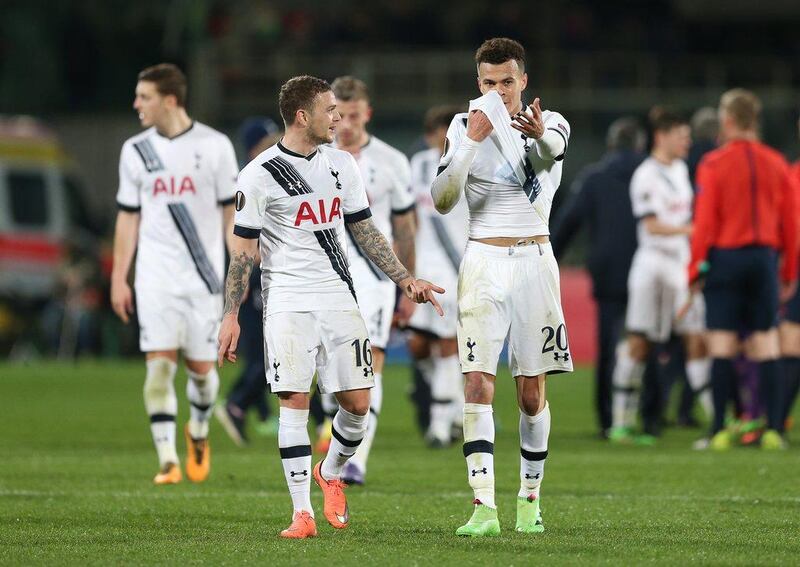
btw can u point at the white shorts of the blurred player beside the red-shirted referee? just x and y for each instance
(658, 287)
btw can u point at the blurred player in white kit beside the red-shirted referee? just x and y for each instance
(661, 197)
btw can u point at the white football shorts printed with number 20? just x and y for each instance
(511, 292)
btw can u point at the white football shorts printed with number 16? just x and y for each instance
(332, 343)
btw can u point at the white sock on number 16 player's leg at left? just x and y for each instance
(294, 445)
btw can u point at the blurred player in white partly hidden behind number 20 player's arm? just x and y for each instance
(440, 246)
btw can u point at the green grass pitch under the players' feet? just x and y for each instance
(76, 462)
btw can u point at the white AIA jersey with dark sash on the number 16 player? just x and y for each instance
(298, 206)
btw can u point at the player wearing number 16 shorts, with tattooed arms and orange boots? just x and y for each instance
(295, 200)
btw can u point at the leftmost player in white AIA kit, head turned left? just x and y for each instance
(176, 187)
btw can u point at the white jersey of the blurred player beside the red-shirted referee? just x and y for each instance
(666, 192)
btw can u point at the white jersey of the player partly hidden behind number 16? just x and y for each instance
(387, 179)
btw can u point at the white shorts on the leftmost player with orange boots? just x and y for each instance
(188, 322)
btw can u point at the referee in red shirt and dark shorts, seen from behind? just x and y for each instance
(745, 218)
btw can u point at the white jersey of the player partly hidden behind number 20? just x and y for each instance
(441, 239)
